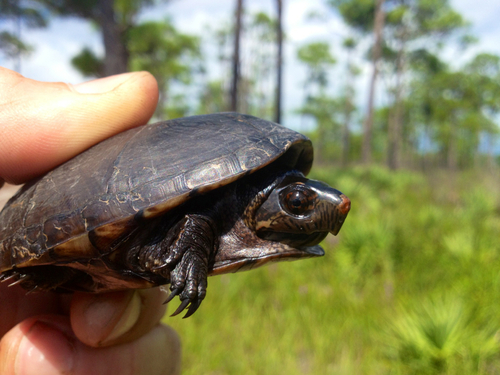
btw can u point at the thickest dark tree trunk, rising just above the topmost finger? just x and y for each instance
(116, 54)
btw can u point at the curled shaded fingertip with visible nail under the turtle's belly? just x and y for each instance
(117, 317)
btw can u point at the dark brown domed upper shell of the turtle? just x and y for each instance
(83, 207)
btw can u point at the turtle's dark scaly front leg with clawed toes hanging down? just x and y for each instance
(191, 247)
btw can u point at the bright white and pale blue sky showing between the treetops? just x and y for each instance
(64, 38)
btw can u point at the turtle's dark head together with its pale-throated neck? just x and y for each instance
(286, 220)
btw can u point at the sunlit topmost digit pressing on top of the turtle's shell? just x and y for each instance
(44, 124)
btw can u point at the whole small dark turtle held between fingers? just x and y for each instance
(170, 203)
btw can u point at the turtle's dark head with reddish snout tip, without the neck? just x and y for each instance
(301, 212)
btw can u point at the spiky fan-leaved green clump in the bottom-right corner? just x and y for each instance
(438, 336)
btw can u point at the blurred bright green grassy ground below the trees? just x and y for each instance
(410, 286)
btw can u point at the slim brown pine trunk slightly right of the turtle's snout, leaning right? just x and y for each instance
(377, 51)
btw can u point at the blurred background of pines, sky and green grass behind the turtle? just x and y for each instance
(400, 100)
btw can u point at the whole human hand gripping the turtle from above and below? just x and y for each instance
(41, 126)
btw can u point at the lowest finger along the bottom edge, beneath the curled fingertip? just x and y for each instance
(46, 346)
